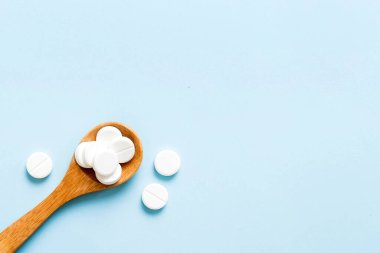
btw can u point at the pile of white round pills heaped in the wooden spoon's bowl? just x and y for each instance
(105, 154)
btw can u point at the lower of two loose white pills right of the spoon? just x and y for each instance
(155, 196)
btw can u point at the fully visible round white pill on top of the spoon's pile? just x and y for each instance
(105, 163)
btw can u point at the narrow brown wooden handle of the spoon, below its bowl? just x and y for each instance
(16, 234)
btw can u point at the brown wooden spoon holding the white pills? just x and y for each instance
(77, 182)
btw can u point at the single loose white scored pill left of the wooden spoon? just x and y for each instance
(39, 165)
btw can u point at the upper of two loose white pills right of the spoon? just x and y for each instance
(167, 162)
